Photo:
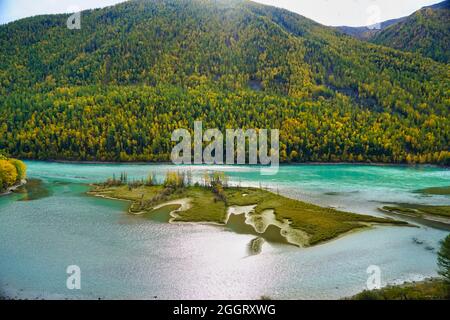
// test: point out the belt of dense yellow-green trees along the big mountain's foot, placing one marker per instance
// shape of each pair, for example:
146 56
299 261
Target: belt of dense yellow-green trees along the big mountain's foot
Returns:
135 123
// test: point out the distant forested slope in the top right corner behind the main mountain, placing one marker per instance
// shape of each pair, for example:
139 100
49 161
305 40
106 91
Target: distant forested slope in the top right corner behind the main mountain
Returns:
427 32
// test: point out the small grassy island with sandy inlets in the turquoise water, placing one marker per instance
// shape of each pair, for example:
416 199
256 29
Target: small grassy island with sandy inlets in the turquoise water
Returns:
266 215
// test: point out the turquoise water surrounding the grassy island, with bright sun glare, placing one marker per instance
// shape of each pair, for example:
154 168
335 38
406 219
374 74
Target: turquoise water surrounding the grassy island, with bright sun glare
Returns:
121 256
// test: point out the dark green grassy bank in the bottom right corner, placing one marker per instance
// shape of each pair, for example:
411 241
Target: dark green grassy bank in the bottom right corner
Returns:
434 289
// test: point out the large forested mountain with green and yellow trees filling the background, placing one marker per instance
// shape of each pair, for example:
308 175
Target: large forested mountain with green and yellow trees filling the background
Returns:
116 88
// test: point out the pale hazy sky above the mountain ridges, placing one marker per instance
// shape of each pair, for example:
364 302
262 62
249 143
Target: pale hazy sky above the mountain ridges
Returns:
328 12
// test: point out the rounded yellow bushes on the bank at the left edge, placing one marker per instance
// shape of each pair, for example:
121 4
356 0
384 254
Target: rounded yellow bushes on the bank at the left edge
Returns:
12 173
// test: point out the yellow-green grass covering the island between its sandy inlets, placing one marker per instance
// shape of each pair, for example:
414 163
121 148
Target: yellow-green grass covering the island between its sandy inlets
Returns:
320 224
